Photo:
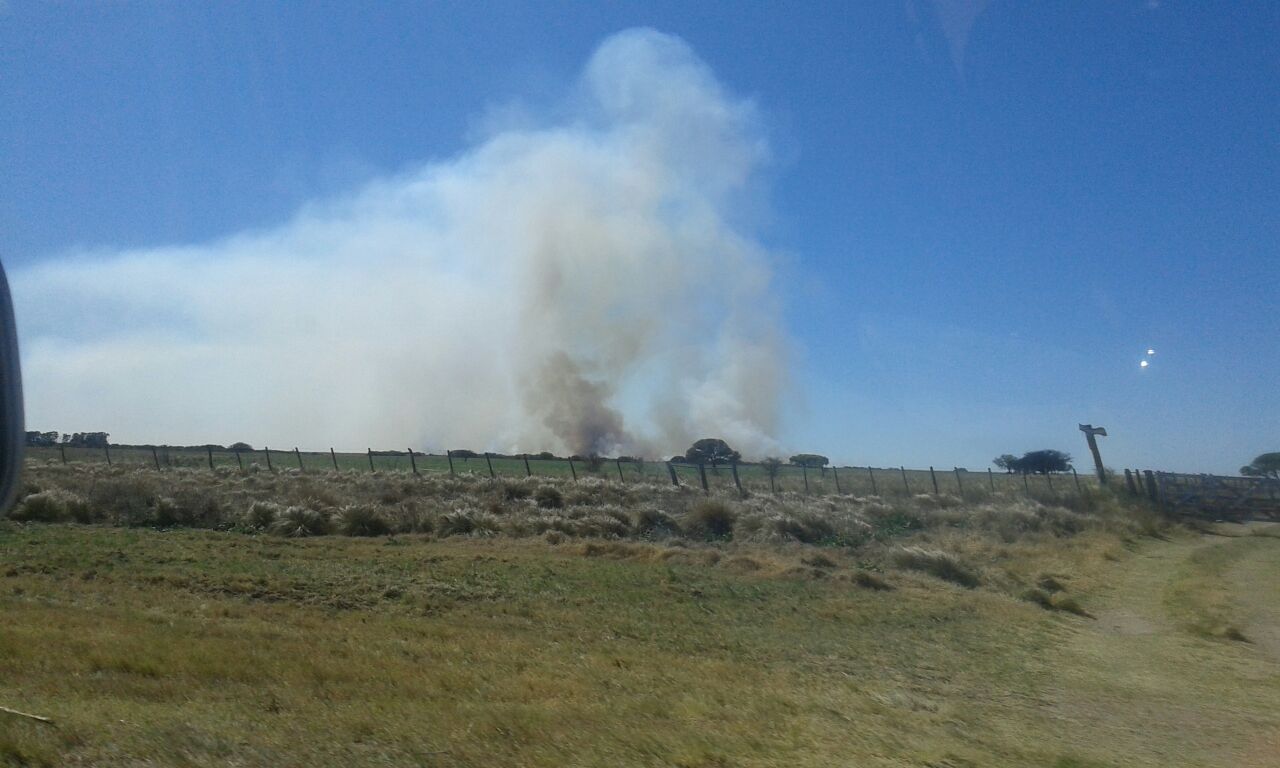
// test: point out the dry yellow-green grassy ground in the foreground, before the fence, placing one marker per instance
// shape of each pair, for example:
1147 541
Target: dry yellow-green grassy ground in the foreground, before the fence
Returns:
1096 637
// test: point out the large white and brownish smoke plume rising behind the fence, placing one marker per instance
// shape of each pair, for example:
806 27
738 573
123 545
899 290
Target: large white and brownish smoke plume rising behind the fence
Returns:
583 285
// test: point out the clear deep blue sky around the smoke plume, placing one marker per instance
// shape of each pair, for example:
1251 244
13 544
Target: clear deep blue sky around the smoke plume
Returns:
975 235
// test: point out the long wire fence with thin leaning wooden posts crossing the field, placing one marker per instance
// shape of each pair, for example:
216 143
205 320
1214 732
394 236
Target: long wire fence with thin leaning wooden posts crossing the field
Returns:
742 478
